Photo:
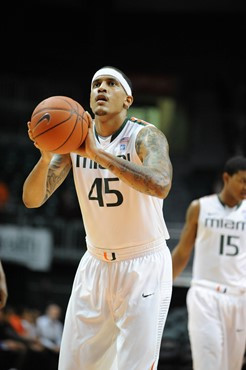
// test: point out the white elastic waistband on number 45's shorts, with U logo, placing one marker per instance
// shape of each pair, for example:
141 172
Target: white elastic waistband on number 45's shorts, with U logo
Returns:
110 255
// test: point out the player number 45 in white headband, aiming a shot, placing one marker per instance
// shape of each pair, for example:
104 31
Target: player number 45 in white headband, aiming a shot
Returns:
122 289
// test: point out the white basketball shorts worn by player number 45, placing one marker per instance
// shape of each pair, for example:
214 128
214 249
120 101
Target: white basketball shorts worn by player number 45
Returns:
117 309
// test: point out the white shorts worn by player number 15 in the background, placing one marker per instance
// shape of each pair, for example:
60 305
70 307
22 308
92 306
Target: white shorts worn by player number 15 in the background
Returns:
216 323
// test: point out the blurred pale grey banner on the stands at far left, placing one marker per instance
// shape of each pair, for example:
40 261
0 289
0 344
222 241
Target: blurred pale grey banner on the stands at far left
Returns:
31 247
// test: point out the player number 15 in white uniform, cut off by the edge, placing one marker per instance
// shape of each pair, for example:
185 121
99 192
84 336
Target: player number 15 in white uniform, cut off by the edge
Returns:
216 301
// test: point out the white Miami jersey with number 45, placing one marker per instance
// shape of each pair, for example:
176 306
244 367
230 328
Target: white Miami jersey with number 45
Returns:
114 214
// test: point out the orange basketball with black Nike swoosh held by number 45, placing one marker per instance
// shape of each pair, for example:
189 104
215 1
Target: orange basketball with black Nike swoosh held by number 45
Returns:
59 125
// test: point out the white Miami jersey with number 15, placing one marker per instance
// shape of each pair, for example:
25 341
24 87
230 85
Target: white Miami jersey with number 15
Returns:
220 248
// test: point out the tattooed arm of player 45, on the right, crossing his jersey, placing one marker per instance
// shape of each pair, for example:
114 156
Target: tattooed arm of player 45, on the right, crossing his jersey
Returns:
154 177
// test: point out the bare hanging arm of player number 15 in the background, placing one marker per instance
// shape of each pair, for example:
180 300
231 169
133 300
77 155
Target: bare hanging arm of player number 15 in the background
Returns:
182 252
